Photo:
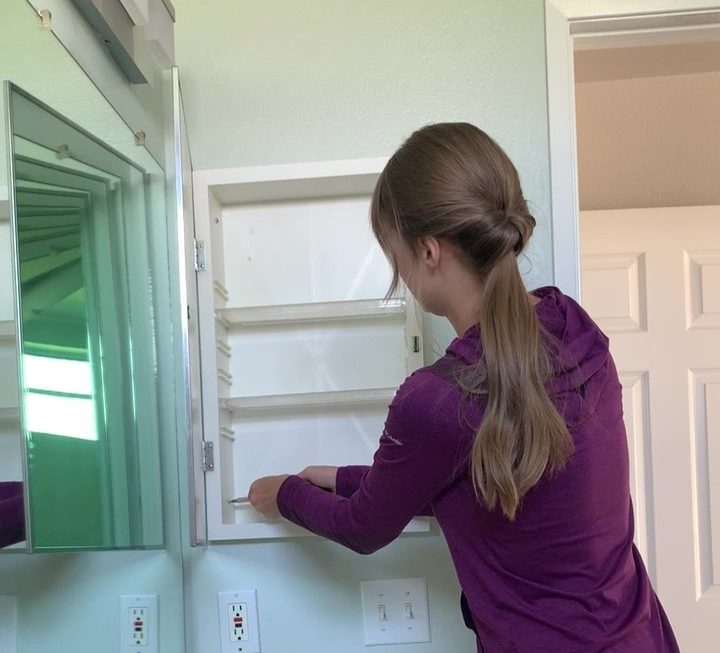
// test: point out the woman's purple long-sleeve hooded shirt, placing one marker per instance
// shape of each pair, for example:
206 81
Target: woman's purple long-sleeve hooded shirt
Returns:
564 576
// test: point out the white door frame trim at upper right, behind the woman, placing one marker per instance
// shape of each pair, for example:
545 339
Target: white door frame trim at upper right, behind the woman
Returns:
591 24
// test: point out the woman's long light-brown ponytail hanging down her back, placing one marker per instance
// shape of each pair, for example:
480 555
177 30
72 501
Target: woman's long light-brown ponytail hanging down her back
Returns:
522 435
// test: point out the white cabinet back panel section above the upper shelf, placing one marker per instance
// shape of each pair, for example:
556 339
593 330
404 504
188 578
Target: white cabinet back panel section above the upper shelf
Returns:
301 251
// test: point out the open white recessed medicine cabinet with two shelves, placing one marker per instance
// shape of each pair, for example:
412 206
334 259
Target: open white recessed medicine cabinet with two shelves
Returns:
301 355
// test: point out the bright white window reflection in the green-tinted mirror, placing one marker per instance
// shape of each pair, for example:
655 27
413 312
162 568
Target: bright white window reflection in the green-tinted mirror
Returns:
58 397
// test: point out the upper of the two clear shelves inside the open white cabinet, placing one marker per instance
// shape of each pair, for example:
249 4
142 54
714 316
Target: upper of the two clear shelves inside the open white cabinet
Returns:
314 312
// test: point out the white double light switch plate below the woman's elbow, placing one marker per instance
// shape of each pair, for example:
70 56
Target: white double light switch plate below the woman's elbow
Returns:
394 595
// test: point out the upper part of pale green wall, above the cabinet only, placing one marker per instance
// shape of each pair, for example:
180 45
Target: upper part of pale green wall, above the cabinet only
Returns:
282 81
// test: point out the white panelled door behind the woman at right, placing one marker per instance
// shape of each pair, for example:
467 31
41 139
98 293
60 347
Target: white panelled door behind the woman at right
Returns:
651 279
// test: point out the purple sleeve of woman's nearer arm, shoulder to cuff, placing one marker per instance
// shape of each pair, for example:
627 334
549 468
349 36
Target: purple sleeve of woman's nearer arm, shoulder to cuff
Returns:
416 460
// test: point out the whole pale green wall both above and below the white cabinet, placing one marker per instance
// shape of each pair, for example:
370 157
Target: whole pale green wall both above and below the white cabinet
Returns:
287 81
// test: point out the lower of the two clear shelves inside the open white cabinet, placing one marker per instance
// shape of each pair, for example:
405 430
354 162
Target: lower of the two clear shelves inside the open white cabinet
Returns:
330 399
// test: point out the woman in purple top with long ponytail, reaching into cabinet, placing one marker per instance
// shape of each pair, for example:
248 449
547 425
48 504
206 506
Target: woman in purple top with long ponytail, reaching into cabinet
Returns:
514 440
